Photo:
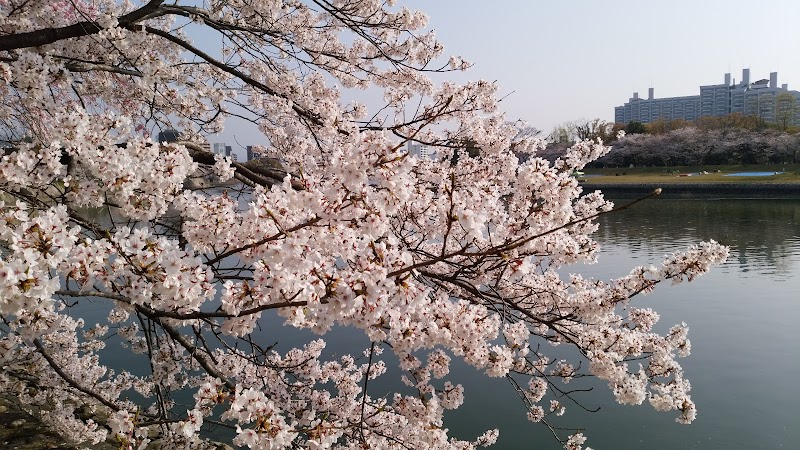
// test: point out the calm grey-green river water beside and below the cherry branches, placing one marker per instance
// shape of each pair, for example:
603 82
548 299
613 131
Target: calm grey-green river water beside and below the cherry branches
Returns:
744 324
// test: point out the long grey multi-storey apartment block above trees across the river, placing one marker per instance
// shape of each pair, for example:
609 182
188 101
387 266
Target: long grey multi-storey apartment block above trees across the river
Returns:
758 98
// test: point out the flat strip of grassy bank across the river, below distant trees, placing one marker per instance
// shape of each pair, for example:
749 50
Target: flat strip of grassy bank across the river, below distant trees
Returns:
694 175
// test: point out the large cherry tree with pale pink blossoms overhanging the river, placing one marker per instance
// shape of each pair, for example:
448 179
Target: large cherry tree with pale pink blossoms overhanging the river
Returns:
428 260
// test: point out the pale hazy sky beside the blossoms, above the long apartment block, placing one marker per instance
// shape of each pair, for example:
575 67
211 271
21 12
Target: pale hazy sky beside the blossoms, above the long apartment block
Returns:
568 60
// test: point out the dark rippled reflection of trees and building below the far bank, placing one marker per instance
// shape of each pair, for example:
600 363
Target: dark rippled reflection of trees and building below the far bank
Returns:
762 234
